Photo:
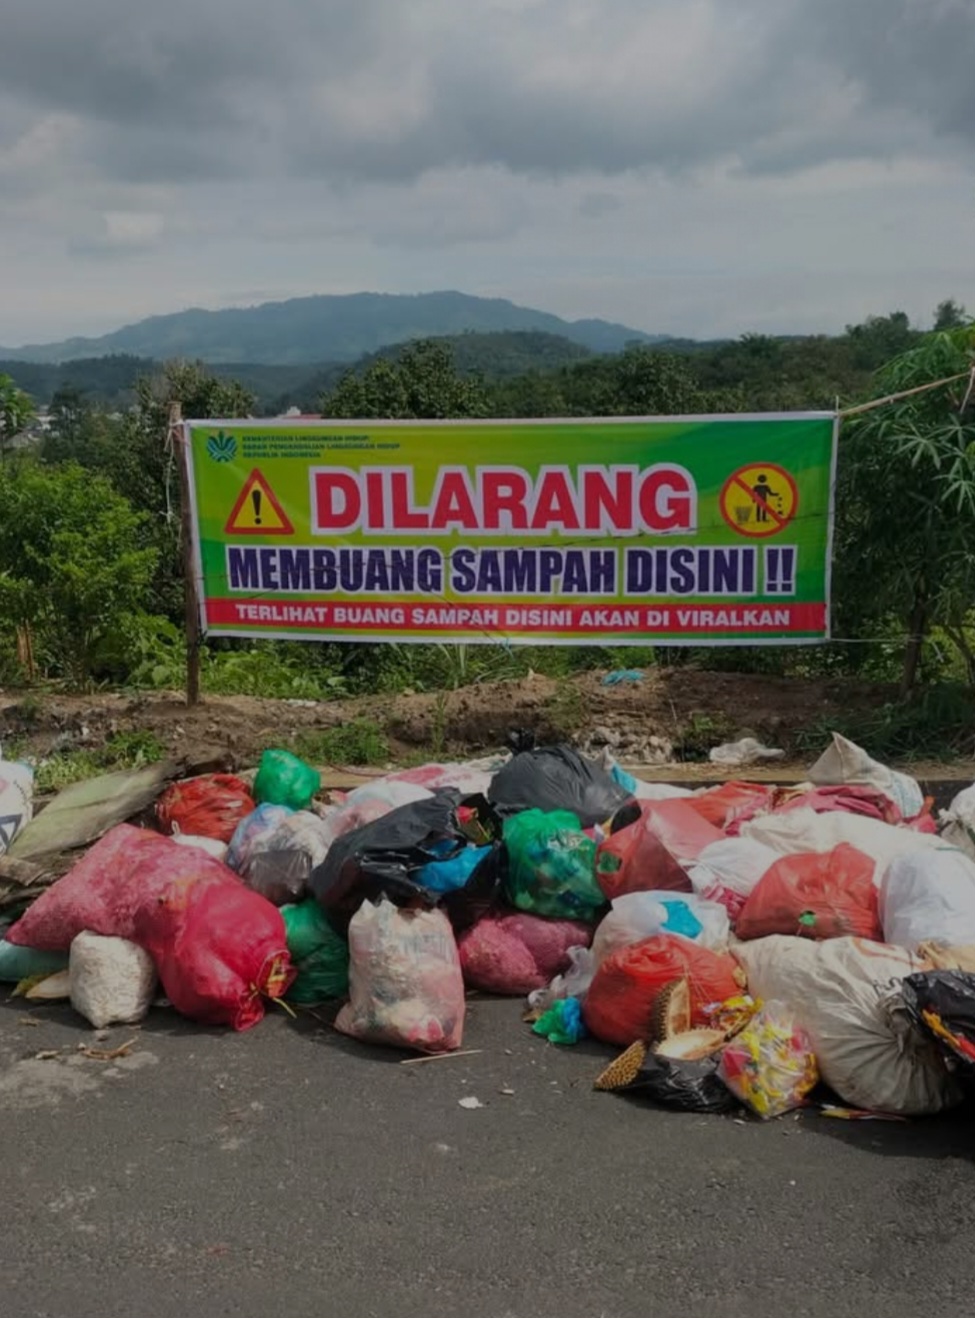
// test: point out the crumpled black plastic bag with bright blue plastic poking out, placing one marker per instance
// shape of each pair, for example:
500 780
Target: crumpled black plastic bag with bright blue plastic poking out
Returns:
383 859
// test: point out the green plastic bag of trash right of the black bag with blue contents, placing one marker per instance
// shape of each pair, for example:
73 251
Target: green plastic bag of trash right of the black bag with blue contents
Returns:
551 867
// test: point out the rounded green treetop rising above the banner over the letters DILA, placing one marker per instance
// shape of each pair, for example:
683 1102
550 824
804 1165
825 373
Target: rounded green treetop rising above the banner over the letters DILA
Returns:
422 383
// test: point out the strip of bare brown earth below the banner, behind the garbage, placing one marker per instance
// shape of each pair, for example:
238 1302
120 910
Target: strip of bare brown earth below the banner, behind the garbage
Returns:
670 714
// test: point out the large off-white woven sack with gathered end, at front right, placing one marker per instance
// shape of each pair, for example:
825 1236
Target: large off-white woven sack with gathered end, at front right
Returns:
845 993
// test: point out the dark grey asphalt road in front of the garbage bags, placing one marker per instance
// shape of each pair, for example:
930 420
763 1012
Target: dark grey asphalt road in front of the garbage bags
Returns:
291 1172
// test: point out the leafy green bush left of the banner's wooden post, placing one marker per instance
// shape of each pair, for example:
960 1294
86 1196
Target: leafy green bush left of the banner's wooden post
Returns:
73 570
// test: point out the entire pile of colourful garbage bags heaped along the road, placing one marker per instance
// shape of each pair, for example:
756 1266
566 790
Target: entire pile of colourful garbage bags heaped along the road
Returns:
745 946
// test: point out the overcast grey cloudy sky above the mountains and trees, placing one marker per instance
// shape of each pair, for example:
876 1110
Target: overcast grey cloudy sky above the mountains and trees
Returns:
687 167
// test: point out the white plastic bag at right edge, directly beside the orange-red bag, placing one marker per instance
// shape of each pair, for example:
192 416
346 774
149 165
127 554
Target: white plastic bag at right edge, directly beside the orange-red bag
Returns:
930 898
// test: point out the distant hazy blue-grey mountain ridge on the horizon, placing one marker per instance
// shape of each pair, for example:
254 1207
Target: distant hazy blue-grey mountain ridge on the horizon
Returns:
339 329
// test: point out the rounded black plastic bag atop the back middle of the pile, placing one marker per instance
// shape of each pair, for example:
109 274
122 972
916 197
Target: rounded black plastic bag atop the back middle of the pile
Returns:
558 778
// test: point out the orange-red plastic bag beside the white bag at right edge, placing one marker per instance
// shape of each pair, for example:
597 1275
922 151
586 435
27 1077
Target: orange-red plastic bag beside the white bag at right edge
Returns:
818 896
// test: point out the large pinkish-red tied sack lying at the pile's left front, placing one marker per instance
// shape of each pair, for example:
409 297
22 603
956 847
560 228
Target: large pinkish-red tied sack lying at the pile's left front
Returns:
218 946
